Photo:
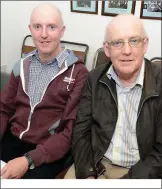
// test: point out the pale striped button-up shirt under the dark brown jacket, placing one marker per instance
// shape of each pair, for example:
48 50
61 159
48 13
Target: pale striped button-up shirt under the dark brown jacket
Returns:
123 148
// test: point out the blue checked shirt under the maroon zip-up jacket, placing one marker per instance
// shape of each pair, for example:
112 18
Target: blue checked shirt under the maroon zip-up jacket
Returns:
41 74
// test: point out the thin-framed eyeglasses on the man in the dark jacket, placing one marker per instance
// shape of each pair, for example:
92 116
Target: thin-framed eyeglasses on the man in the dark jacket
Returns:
133 42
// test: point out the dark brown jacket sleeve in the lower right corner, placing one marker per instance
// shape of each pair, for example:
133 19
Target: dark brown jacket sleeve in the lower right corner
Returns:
151 167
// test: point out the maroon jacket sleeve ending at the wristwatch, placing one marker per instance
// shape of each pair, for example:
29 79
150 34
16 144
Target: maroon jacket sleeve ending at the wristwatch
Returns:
57 145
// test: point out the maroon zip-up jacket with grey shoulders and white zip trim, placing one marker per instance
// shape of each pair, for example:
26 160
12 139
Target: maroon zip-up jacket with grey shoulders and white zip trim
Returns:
50 123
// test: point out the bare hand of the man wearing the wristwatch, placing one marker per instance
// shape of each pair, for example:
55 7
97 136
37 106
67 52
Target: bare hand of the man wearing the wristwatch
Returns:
15 168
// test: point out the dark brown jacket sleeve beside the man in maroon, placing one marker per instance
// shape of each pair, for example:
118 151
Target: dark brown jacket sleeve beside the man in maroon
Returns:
81 142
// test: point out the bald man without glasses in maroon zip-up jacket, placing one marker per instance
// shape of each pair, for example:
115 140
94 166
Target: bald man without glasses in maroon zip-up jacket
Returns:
38 106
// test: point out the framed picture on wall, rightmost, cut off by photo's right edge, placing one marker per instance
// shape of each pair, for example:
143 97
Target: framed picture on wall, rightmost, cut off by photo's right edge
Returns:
151 10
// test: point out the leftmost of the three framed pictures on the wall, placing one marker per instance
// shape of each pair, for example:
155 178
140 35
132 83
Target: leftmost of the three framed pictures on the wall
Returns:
84 6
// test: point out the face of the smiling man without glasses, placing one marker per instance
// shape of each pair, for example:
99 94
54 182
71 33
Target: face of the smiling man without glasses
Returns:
46 32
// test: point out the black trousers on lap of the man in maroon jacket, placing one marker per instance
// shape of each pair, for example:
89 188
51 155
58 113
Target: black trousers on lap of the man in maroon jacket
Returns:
12 147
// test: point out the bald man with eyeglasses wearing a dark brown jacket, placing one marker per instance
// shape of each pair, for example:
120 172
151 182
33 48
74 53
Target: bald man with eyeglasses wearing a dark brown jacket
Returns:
118 132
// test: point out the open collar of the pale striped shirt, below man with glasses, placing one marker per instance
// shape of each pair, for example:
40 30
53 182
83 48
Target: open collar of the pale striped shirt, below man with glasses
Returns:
139 81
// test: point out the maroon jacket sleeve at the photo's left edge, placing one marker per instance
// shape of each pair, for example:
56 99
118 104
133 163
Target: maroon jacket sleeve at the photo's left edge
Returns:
8 106
